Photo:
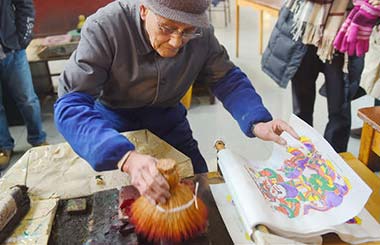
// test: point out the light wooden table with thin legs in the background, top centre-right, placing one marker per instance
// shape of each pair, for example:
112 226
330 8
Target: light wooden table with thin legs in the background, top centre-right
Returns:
271 7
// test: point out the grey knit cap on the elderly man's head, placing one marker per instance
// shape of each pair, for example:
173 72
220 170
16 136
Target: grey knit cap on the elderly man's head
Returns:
192 12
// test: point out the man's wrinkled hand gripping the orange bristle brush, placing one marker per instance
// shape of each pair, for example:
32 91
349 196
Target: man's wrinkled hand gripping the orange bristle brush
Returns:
146 177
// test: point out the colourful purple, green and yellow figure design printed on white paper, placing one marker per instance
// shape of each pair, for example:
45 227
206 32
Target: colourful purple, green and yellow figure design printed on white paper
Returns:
305 182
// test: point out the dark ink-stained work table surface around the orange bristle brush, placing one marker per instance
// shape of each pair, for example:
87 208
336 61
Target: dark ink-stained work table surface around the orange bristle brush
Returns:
74 229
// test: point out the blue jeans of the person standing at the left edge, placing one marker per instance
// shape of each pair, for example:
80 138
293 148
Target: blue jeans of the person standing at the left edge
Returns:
16 81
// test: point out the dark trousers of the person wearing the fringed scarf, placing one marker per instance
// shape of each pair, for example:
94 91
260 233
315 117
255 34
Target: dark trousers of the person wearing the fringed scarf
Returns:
339 107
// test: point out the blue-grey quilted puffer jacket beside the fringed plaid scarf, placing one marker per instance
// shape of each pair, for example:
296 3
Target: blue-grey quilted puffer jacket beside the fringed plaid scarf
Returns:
283 55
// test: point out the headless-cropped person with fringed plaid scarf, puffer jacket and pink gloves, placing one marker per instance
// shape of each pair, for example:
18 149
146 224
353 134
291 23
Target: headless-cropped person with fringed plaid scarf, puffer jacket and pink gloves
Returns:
302 45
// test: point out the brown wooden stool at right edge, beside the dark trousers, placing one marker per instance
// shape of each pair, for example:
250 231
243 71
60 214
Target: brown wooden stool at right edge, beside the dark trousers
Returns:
370 140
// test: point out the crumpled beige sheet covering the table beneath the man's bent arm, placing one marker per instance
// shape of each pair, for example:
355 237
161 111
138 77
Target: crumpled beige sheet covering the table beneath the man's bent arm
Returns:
57 171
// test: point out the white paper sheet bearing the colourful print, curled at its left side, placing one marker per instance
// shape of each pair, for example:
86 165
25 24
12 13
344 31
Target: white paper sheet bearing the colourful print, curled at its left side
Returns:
343 198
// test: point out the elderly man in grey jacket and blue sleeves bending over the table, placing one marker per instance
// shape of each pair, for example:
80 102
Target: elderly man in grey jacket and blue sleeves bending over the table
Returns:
133 64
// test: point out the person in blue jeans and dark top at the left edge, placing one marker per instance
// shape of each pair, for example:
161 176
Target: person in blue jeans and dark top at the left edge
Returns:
16 26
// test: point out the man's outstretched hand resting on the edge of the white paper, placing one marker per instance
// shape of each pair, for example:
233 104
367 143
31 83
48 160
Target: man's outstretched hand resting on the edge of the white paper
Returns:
270 131
